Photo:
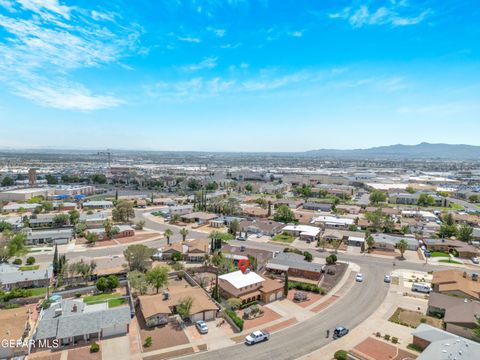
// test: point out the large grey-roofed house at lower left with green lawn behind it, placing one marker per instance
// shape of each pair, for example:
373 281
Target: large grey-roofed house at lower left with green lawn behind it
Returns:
73 321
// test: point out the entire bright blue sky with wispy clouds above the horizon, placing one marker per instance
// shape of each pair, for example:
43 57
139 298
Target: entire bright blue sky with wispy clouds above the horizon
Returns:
238 75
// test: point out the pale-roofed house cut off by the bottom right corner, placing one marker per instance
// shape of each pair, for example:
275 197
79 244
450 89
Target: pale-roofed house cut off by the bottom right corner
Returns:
438 344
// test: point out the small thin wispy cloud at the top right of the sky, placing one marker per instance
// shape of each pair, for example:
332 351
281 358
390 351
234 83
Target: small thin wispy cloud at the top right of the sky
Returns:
393 14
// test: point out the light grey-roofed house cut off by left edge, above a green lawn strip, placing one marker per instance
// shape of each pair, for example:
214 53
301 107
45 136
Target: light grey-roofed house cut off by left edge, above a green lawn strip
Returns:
11 276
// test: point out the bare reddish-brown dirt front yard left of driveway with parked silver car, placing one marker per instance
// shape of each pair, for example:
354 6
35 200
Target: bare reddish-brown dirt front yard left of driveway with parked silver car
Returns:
162 336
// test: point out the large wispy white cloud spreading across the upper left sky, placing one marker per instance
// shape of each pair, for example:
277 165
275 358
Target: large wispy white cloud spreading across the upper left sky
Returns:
51 40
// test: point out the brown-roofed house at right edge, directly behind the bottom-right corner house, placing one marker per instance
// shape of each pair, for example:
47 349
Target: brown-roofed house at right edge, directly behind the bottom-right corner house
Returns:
459 315
